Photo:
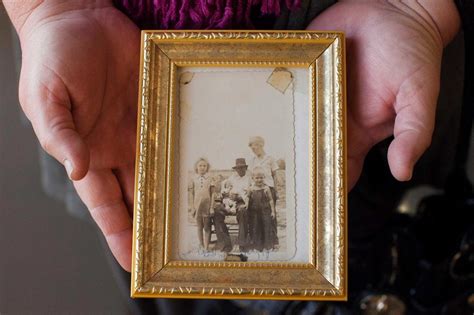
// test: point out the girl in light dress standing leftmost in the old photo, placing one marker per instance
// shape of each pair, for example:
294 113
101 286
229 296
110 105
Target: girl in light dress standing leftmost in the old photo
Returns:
201 189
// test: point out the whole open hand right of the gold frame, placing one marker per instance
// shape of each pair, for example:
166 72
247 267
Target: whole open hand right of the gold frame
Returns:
394 52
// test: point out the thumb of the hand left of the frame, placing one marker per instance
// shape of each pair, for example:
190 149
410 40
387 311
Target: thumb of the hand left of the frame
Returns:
46 103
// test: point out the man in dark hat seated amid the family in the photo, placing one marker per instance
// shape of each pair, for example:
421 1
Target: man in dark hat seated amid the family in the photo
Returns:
236 188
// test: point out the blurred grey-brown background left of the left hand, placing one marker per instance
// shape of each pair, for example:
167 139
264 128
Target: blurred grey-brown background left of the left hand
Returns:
50 262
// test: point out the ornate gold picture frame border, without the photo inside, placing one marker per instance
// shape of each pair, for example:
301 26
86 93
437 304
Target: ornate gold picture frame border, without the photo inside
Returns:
155 271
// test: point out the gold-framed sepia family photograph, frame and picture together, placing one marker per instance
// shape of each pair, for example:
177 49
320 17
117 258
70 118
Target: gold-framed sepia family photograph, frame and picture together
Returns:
240 184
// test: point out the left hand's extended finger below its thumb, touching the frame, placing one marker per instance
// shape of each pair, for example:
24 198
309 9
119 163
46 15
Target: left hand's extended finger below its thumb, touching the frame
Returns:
101 192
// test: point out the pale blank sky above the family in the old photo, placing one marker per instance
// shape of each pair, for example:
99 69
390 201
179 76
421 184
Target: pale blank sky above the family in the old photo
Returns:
221 109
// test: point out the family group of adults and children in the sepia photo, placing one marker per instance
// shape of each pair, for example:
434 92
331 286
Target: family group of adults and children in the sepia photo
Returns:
249 194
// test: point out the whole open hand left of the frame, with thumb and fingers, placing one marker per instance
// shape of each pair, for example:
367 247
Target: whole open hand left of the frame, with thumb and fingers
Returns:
78 87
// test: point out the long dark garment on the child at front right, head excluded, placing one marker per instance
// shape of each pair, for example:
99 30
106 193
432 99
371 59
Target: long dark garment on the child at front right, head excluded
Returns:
262 227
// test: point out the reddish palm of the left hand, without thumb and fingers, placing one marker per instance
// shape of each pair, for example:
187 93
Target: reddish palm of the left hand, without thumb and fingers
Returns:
93 67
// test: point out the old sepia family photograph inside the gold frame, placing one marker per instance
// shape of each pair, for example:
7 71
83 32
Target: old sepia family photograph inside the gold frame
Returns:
236 167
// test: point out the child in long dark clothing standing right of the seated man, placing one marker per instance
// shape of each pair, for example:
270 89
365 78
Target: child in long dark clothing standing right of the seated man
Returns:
261 213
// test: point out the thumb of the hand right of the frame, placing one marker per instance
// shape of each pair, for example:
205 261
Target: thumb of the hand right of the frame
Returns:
415 109
